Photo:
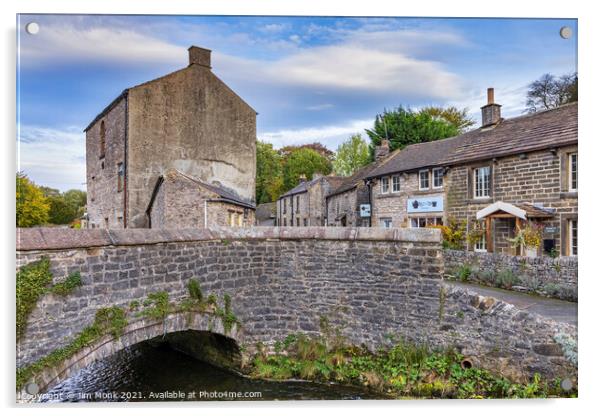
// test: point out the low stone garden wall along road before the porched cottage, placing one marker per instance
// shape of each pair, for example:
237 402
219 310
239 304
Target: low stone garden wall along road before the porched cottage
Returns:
556 277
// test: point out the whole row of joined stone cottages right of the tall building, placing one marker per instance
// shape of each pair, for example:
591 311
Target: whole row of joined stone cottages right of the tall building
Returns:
507 175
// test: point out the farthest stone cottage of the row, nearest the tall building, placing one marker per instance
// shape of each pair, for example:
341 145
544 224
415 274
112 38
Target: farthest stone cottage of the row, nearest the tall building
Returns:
305 204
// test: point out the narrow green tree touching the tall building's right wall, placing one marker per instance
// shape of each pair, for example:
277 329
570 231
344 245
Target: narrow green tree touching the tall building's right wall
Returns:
268 181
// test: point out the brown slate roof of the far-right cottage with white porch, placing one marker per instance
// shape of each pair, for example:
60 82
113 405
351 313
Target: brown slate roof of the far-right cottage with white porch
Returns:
542 130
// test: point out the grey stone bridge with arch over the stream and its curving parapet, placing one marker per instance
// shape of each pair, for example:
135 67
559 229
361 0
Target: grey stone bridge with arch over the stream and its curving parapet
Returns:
372 283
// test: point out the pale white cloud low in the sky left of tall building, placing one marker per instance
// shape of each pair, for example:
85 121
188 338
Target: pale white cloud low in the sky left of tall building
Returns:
53 157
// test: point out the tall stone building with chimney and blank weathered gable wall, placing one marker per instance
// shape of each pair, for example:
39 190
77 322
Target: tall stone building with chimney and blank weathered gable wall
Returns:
188 121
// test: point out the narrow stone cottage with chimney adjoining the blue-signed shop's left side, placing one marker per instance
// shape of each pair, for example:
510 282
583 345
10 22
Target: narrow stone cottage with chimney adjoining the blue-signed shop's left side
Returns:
349 204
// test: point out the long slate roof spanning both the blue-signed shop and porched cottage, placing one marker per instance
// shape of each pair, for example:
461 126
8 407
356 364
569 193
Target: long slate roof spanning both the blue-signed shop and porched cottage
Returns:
542 130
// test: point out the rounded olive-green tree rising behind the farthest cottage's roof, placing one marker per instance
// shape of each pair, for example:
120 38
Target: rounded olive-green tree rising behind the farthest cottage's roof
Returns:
303 162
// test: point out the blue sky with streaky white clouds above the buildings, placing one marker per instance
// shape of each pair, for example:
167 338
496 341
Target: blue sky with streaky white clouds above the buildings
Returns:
309 78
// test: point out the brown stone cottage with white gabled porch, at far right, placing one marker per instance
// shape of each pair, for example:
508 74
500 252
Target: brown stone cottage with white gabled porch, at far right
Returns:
515 172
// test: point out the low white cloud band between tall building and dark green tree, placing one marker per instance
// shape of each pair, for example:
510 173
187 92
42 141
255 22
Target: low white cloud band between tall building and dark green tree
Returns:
330 136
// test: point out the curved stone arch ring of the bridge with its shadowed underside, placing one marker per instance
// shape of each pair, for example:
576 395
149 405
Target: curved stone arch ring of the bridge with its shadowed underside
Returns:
193 334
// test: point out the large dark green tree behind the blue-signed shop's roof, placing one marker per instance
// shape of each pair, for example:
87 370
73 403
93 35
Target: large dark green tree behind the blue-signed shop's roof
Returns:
403 126
